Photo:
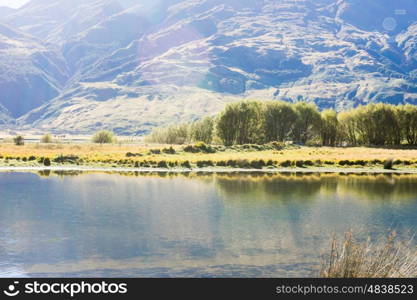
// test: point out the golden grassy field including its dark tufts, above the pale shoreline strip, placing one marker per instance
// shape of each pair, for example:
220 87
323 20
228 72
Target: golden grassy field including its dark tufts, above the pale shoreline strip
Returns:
161 156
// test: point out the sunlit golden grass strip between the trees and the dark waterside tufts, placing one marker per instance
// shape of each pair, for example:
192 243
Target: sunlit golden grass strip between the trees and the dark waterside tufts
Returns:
116 154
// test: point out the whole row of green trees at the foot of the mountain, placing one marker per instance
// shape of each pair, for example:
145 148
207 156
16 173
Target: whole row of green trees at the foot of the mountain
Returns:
256 122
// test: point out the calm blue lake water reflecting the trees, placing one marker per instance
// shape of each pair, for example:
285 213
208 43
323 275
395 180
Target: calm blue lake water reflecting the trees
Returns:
160 225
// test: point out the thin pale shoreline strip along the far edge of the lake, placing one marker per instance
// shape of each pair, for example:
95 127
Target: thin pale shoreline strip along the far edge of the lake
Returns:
212 170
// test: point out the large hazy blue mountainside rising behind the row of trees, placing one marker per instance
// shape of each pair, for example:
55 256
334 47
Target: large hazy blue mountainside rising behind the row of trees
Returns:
130 66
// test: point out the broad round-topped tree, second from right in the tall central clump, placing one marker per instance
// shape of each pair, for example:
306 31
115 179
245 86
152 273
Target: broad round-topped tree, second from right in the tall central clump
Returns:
279 121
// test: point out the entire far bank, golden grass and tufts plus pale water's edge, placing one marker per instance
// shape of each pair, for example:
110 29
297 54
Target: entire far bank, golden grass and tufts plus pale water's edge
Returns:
246 158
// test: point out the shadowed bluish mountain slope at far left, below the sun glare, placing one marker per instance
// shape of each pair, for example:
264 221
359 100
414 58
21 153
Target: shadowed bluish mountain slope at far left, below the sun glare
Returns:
30 73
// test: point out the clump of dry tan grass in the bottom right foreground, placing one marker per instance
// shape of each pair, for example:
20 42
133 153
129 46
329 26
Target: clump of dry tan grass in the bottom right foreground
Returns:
386 258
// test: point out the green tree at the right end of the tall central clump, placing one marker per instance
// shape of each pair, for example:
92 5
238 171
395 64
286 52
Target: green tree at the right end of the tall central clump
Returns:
308 122
